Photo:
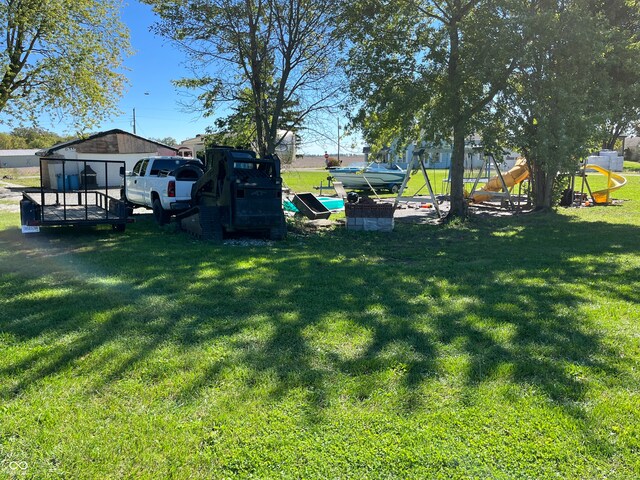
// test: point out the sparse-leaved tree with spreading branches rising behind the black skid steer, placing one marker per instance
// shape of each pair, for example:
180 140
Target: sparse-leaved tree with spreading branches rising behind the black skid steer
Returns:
267 62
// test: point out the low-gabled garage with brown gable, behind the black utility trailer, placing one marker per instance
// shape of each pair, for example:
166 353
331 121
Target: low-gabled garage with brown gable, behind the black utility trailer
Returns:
115 145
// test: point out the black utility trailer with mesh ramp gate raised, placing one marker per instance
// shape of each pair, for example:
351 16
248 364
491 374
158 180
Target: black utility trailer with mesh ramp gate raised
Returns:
75 192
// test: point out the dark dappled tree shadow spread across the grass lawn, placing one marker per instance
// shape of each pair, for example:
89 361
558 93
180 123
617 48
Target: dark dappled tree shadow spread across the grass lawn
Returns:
305 315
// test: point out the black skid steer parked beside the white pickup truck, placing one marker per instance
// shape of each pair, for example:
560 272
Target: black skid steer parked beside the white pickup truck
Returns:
239 192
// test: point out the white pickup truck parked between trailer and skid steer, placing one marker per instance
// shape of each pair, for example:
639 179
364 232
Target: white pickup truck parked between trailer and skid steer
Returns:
162 184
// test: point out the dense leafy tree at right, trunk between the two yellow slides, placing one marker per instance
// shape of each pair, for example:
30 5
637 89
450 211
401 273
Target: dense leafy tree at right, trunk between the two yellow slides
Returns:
575 87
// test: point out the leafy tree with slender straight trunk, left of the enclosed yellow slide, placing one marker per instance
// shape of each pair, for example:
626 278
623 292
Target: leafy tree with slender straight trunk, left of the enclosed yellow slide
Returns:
431 69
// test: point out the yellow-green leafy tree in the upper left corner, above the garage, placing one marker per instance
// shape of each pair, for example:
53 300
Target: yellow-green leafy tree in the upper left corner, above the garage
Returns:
62 58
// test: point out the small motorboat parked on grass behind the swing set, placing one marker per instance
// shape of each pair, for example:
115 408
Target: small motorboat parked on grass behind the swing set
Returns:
387 176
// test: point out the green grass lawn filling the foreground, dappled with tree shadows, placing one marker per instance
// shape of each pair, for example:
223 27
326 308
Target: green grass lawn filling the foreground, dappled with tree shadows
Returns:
501 348
